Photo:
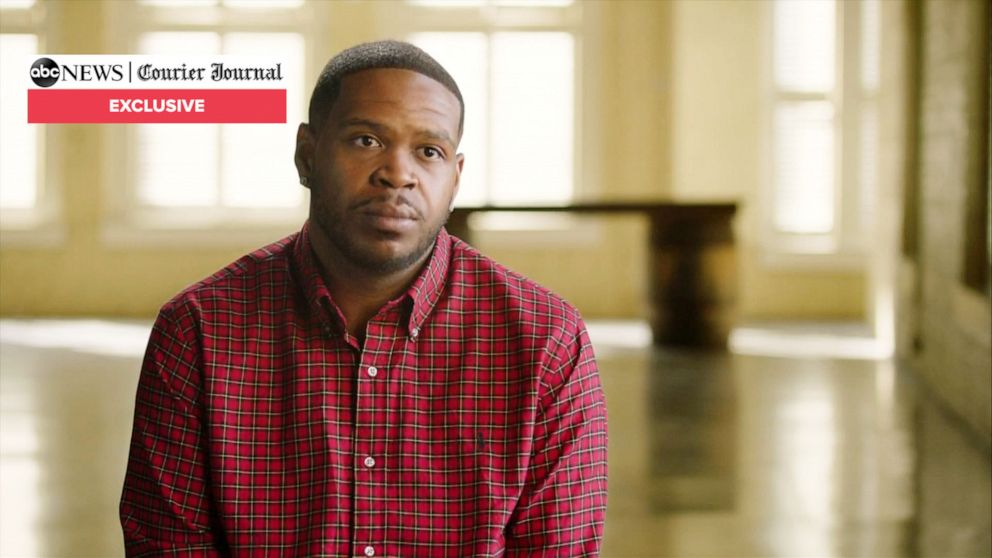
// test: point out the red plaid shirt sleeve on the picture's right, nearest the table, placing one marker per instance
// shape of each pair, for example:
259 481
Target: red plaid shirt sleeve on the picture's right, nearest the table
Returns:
563 505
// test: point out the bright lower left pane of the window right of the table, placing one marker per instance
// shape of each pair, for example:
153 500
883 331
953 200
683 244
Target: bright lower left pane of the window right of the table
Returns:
804 167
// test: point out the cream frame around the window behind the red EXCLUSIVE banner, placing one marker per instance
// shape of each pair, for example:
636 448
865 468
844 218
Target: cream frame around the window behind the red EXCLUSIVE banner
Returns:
128 221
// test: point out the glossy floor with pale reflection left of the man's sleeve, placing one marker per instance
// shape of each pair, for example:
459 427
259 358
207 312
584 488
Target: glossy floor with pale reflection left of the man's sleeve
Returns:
64 430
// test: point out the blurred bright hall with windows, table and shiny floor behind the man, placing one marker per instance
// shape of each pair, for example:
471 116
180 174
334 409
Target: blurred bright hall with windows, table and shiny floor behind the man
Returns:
773 215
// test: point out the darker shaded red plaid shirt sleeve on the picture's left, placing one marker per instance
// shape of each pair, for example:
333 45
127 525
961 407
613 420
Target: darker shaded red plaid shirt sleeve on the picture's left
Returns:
165 508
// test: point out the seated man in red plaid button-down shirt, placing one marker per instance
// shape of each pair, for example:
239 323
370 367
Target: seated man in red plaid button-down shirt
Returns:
369 386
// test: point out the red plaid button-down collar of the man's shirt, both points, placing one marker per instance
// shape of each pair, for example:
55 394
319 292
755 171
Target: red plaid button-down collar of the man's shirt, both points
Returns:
424 292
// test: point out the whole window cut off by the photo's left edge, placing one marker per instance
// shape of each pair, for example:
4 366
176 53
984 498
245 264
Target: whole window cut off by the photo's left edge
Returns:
23 196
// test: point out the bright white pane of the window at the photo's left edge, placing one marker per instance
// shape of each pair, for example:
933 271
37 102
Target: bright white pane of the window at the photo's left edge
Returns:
18 139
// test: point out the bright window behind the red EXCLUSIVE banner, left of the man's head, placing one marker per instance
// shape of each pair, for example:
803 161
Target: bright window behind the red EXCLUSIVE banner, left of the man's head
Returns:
203 175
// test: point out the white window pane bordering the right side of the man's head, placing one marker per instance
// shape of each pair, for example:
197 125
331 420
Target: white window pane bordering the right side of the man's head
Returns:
464 56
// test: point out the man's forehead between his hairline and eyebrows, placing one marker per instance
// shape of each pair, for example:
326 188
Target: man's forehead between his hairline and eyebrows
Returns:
390 93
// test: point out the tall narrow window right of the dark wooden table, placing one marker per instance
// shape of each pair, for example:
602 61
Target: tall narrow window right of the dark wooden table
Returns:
824 125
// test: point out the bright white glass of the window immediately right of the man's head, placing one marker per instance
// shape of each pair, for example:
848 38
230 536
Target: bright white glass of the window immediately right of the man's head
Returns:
519 96
